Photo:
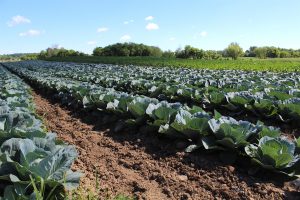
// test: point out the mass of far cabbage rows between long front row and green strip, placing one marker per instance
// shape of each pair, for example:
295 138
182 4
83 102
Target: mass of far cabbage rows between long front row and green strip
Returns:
265 94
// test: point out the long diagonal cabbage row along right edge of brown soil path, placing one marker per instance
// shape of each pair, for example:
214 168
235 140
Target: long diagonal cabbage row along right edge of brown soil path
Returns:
266 146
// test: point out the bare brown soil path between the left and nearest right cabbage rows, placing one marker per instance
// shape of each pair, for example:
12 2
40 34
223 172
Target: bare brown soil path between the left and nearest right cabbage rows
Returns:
141 165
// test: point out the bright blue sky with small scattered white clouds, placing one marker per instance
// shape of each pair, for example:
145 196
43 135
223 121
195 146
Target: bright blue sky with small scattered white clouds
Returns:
33 25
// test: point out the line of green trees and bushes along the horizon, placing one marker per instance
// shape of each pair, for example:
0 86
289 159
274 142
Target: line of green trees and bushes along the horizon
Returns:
233 51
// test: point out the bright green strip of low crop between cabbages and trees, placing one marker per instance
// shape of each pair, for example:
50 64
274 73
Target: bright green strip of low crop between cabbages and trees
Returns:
278 64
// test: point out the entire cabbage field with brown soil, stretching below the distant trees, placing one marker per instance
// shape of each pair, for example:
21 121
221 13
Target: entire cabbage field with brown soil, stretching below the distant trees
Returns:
172 132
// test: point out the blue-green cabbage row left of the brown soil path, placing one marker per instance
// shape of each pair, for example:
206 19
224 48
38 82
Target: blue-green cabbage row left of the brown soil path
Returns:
33 163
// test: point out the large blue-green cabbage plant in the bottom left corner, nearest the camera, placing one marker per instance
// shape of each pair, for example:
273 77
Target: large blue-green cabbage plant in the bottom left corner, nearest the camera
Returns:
39 159
